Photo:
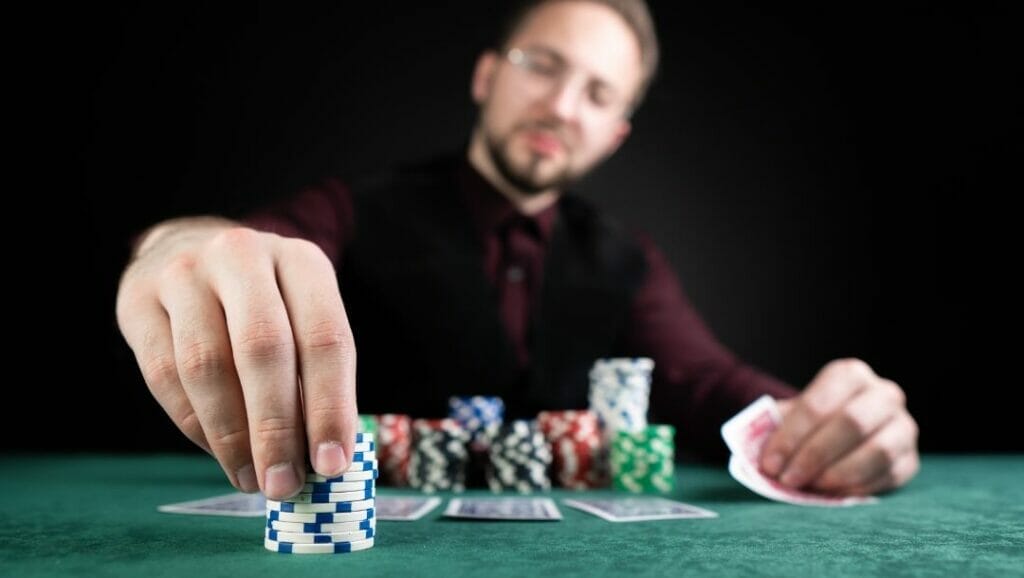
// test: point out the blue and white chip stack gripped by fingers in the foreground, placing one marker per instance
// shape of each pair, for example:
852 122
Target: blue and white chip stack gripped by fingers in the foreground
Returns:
331 515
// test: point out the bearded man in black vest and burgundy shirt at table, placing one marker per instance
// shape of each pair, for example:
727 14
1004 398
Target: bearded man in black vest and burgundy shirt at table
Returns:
478 276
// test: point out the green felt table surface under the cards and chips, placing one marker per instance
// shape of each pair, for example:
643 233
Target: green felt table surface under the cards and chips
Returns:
97 516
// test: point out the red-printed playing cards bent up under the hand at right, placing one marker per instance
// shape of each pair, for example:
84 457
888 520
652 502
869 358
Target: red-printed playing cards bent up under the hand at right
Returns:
746 435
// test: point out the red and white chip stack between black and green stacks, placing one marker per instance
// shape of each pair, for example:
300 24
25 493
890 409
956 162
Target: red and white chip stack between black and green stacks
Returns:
576 444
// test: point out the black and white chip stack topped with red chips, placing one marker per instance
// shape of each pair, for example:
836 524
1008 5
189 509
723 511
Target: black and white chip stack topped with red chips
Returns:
440 456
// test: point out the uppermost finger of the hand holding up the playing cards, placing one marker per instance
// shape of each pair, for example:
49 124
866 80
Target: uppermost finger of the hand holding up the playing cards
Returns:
830 390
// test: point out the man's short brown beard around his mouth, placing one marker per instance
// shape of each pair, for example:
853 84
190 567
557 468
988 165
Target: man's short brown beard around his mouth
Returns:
528 178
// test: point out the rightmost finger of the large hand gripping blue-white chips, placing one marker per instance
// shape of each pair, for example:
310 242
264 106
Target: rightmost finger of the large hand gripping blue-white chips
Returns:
326 354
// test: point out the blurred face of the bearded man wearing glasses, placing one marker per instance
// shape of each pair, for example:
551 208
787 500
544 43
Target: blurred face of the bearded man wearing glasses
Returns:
556 104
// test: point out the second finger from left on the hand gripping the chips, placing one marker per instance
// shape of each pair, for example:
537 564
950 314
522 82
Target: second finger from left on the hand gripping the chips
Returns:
203 356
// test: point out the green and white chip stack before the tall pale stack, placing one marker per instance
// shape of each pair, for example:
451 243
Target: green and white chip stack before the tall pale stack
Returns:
645 462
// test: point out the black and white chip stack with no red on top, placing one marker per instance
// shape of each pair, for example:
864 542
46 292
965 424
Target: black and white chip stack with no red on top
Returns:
520 459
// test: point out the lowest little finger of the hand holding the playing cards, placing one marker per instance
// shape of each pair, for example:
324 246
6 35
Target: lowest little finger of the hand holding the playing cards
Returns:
886 461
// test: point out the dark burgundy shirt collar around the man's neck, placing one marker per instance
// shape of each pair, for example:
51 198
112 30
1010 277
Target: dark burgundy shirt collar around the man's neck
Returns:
490 210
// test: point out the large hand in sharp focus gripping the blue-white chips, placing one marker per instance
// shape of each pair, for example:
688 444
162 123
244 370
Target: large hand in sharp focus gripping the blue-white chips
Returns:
229 325
